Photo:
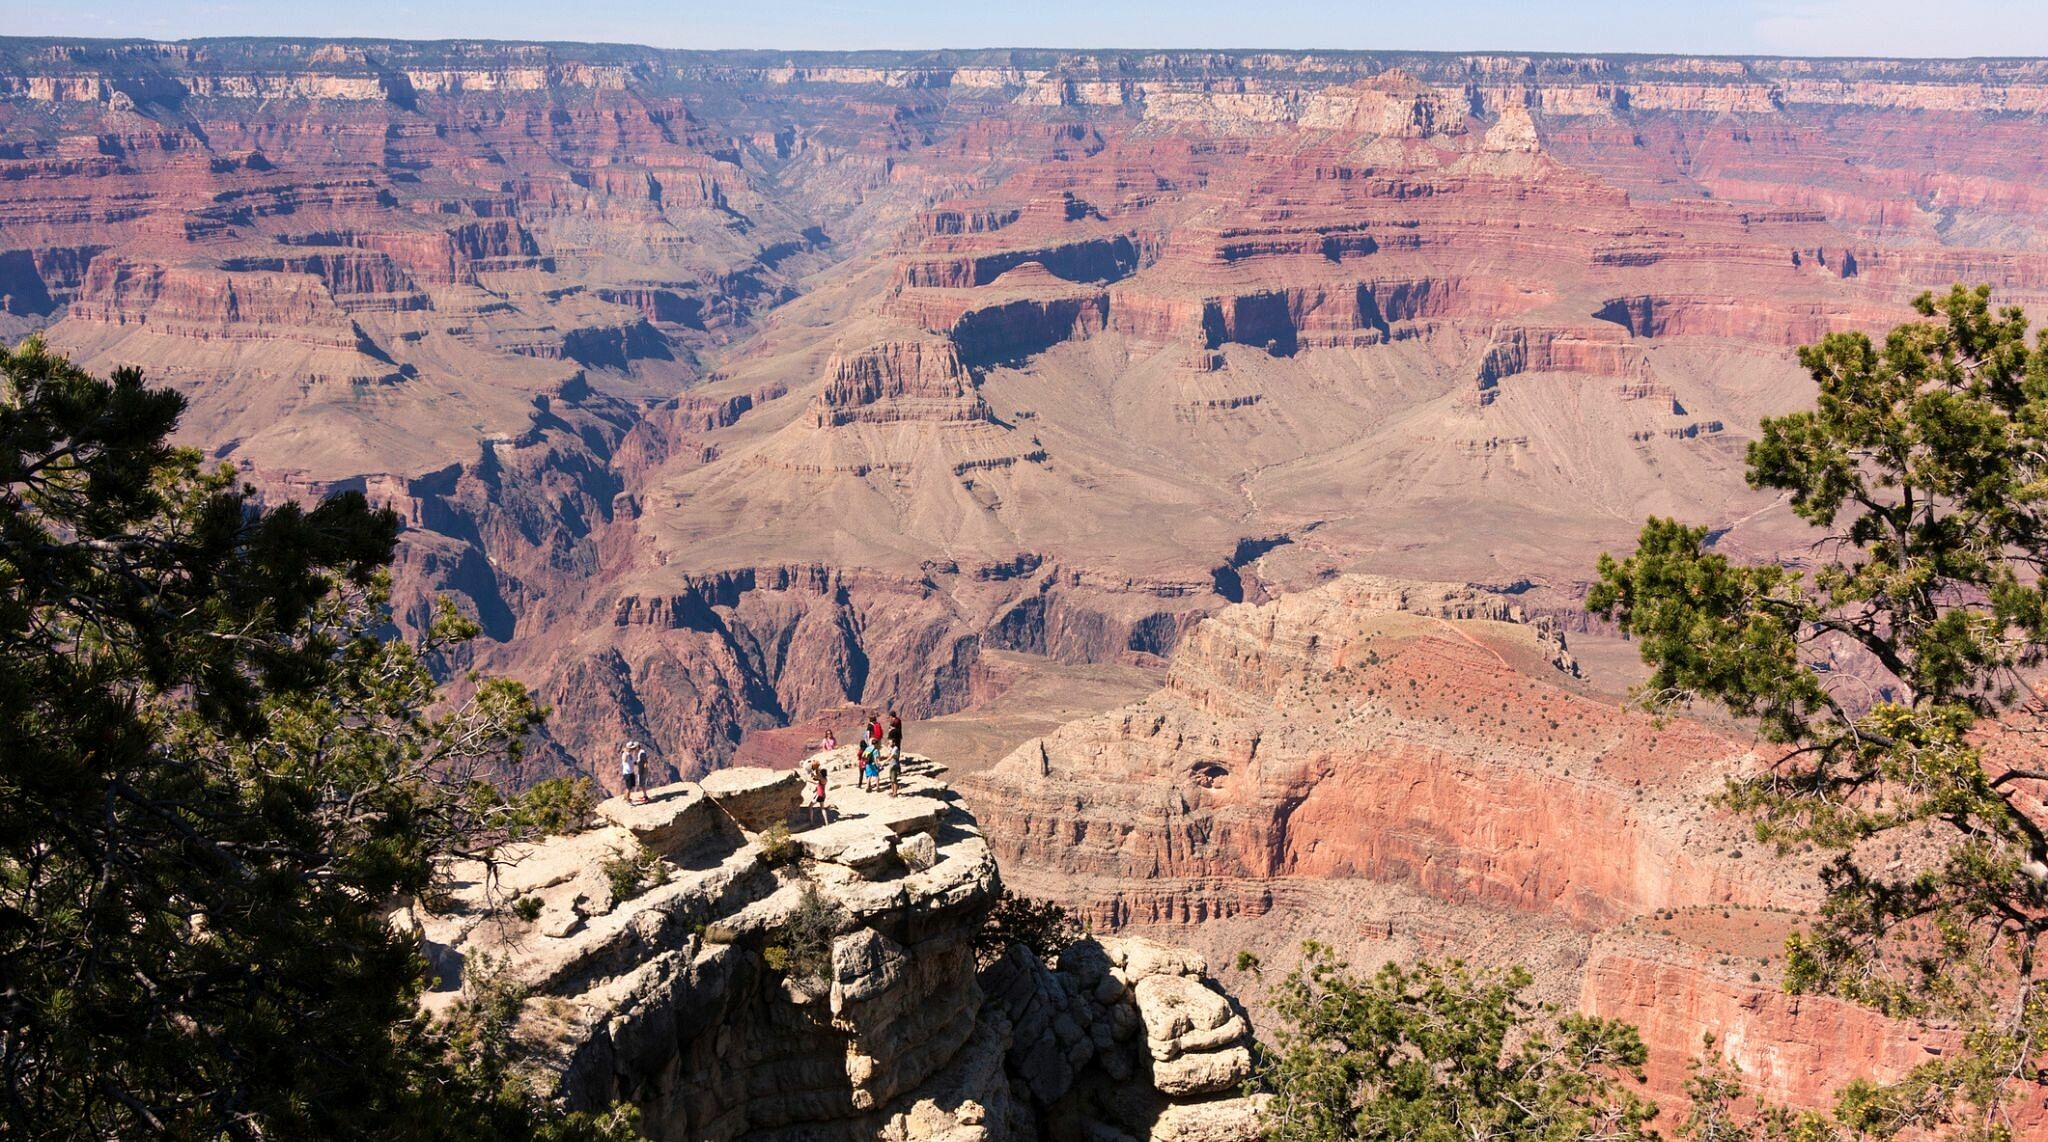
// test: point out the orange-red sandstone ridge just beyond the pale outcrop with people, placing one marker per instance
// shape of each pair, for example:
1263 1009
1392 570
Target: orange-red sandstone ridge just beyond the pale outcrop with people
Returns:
1406 771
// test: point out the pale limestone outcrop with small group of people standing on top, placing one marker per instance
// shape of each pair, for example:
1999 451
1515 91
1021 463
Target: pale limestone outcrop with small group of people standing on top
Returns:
742 985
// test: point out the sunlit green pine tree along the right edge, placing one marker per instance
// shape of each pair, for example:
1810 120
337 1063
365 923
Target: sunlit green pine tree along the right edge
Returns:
1883 664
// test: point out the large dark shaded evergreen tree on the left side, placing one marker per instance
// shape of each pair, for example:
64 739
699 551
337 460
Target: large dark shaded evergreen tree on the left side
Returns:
218 777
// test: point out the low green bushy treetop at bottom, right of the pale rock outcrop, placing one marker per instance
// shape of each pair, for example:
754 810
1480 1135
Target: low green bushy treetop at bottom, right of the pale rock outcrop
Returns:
1441 1053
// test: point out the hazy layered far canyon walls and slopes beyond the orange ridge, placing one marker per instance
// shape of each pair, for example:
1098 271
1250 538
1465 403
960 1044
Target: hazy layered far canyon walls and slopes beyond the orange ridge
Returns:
732 388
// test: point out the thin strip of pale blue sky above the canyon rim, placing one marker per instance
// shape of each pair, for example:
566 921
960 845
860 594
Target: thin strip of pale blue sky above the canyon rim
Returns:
1719 28
